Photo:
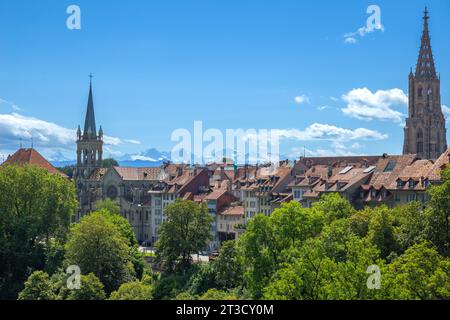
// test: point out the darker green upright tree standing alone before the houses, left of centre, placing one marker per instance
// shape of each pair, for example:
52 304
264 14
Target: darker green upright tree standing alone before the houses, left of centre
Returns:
185 232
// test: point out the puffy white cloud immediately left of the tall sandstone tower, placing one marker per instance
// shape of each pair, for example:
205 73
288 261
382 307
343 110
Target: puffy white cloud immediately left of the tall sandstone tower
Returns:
363 104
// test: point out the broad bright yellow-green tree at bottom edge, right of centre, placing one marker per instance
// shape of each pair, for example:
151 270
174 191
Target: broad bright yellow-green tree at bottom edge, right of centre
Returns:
325 269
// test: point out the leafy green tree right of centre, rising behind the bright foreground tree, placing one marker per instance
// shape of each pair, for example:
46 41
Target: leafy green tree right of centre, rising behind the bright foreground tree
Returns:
263 247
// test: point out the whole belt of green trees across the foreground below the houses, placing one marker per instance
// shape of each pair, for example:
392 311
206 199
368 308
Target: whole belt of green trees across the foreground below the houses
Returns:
322 252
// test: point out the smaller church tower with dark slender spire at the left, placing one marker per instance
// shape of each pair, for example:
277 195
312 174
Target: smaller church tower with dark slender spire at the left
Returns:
89 144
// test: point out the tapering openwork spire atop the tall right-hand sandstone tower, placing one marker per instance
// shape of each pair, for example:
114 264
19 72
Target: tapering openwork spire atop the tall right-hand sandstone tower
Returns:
425 64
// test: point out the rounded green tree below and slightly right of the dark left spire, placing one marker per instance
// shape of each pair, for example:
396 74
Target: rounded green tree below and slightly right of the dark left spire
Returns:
96 245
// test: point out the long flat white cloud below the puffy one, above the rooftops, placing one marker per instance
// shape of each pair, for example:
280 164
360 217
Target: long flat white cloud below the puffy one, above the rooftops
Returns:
318 131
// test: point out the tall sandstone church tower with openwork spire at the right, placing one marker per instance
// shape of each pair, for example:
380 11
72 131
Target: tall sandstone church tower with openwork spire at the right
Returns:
425 132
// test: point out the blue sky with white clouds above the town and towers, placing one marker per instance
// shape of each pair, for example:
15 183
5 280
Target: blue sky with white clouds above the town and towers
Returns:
160 65
